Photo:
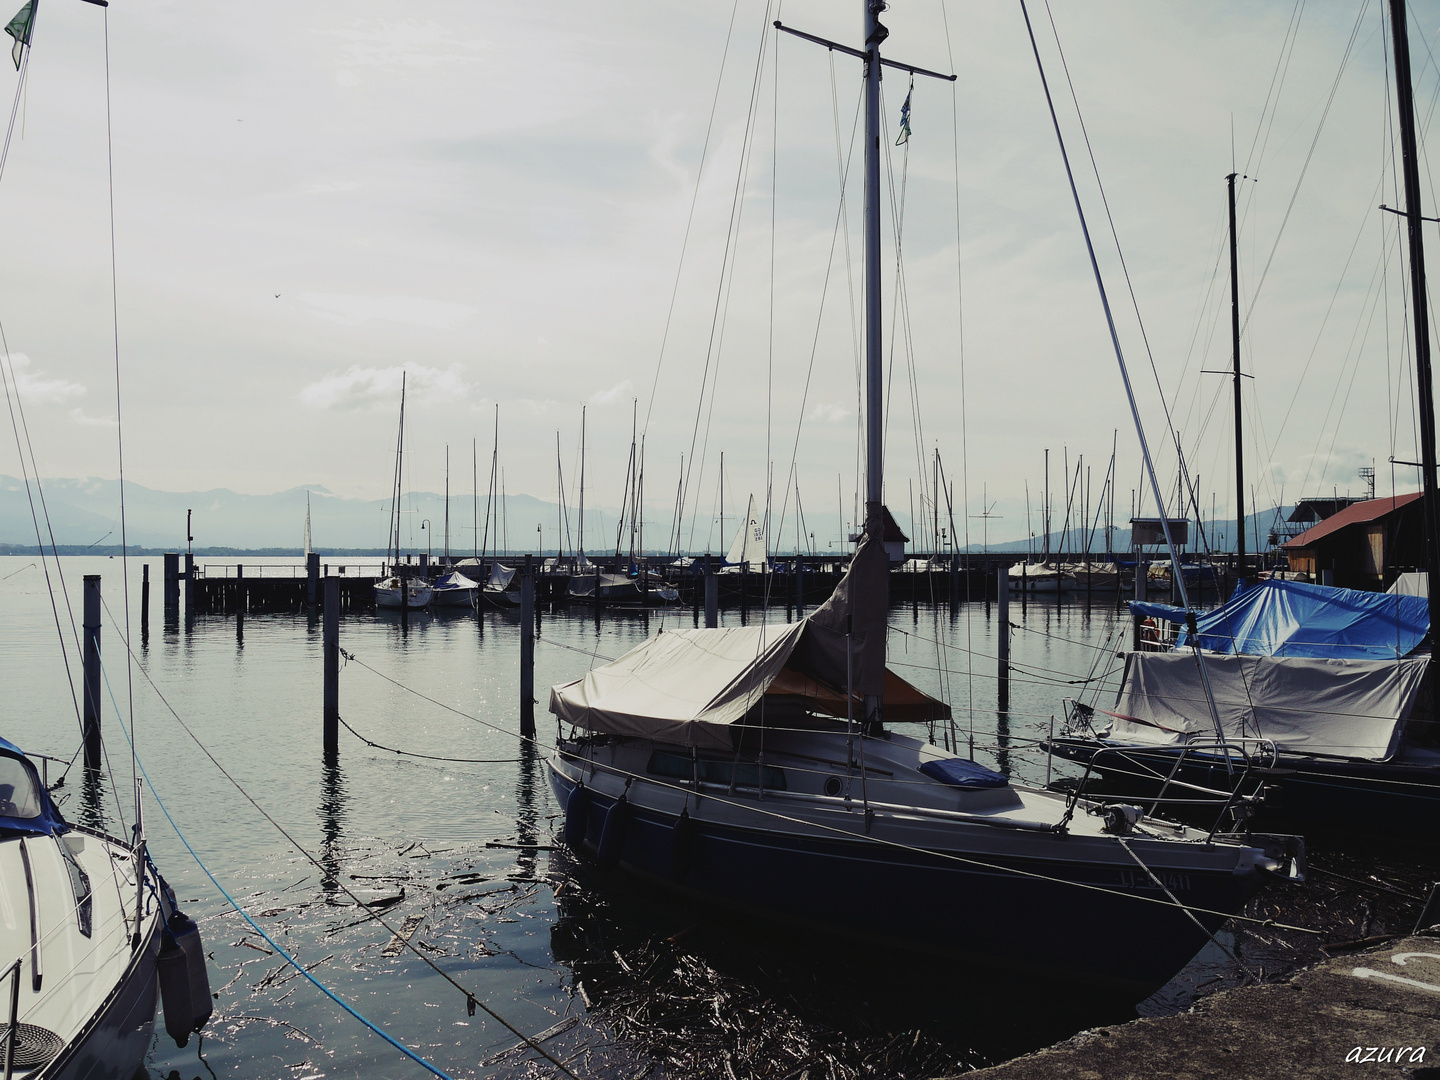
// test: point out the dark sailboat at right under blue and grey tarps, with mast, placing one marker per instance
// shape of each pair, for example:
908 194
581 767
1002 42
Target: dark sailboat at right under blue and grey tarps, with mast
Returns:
1327 692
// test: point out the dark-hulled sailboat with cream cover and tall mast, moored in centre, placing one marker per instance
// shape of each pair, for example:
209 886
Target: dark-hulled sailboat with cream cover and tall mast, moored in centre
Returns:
754 768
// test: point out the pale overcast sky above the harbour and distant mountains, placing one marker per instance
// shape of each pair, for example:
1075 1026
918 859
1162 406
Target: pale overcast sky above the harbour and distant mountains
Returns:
639 210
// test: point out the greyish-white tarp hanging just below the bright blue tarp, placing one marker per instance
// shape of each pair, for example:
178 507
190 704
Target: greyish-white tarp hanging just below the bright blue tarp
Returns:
1305 705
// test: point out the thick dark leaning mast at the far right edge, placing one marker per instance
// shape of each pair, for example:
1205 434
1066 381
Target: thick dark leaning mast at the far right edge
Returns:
1405 102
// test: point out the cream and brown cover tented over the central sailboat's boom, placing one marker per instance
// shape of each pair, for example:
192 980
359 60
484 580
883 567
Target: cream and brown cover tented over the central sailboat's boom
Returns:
689 686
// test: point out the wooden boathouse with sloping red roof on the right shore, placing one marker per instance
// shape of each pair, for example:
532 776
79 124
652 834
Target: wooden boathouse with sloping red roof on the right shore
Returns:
1364 546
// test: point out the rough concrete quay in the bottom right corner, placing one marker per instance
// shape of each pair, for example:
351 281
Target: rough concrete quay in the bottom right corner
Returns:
1363 1014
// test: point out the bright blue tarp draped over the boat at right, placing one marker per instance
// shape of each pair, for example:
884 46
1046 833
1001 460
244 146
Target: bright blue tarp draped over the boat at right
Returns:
1295 620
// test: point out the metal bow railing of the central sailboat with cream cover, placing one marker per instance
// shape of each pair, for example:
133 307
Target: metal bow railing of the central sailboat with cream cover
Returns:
1236 760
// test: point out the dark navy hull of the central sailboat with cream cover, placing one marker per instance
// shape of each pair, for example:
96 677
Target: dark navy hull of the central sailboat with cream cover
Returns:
1014 906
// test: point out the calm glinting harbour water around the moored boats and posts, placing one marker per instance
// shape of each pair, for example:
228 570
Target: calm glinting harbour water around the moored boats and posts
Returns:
466 847
